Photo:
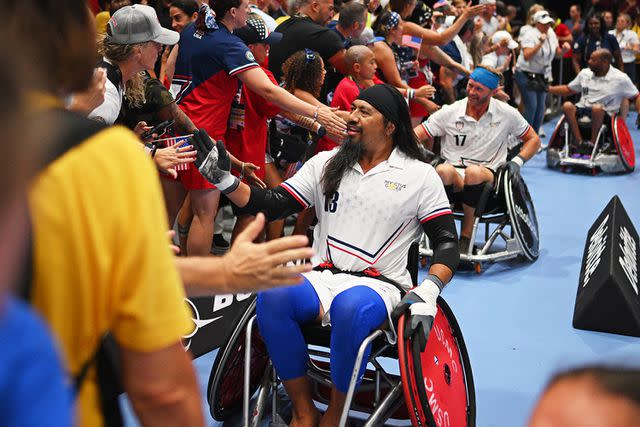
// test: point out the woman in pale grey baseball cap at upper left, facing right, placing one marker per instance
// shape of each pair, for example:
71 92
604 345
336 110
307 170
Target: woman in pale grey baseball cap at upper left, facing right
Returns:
132 44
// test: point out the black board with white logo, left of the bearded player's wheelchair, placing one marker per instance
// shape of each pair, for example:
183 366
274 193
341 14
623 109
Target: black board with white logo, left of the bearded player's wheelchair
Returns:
213 318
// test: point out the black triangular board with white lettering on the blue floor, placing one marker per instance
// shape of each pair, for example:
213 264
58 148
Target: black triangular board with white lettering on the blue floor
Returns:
607 298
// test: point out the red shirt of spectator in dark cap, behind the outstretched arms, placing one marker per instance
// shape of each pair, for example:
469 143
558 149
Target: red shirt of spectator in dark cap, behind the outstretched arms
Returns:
249 142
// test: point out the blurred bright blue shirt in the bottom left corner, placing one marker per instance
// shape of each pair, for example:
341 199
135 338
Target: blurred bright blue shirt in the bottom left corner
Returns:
33 389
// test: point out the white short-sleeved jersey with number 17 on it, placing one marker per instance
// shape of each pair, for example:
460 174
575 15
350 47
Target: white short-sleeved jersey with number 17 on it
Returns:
466 141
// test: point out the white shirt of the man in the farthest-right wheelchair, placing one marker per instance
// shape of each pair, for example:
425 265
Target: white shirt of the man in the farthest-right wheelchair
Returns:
608 90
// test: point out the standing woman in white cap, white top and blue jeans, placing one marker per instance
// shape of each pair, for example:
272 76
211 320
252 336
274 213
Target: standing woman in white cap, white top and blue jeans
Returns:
539 48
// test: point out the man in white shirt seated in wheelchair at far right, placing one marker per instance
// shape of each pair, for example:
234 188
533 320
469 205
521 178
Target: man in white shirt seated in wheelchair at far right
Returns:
603 88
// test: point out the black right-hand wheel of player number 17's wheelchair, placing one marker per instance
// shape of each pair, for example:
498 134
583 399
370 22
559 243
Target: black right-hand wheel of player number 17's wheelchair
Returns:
522 214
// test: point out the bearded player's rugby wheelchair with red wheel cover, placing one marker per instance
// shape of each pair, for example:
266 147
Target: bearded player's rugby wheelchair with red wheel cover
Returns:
432 388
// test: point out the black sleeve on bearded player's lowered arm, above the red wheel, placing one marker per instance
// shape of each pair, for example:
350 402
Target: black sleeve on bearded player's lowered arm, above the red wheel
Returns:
444 239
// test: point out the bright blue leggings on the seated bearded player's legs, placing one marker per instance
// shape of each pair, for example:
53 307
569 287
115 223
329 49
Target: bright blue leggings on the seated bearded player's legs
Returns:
355 313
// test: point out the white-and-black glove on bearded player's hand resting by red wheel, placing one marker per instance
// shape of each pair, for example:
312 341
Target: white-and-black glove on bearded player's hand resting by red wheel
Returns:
421 302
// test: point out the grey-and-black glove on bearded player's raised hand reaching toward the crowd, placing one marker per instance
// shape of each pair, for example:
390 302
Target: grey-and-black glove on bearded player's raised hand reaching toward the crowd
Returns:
214 162
